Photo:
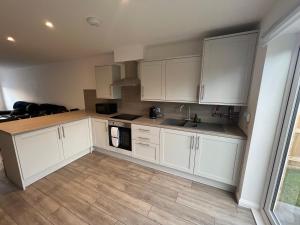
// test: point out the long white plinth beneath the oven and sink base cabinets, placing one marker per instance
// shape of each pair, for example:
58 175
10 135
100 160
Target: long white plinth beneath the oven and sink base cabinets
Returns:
202 180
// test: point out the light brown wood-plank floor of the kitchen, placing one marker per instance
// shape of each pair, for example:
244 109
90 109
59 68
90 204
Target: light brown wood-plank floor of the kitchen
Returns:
99 189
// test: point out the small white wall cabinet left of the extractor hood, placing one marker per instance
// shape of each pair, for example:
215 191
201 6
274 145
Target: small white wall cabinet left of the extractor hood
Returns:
105 76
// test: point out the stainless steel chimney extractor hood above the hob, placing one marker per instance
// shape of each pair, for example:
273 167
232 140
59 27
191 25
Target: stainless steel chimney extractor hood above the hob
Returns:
131 77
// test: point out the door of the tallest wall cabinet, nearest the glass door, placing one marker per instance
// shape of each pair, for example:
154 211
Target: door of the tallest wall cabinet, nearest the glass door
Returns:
227 69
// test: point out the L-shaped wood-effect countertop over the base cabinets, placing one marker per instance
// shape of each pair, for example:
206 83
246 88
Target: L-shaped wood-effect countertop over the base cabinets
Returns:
26 125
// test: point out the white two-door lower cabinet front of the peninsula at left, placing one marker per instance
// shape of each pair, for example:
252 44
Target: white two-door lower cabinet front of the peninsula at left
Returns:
40 152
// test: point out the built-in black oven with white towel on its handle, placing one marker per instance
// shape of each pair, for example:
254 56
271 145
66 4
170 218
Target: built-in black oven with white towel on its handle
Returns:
120 135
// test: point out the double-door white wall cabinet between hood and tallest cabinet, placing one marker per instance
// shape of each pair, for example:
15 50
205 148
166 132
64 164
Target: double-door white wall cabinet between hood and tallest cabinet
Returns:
172 80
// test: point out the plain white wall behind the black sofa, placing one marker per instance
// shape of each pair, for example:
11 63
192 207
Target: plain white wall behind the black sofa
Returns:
58 83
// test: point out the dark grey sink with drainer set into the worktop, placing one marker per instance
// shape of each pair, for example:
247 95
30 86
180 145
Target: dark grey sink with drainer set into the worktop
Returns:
189 124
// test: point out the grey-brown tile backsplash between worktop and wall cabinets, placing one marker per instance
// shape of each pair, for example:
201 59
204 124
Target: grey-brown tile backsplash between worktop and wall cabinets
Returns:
131 103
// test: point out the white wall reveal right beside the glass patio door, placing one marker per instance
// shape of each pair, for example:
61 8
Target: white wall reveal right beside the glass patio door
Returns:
261 137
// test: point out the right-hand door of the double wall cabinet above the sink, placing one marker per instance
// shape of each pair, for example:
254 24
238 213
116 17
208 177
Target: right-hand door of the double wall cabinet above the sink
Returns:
182 79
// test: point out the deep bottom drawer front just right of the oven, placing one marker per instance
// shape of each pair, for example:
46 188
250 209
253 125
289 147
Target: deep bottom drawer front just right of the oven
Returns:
145 151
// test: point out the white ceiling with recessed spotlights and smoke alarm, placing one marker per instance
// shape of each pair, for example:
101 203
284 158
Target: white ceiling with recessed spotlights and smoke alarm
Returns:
146 22
